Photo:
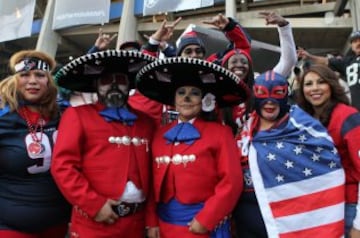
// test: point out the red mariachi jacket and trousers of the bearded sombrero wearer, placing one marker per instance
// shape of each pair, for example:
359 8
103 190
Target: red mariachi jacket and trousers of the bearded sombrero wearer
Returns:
90 168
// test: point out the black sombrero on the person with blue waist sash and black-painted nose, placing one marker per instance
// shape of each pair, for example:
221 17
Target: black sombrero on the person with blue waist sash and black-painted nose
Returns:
159 80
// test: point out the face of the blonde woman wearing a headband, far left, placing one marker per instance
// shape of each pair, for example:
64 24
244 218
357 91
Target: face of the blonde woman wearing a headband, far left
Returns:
33 85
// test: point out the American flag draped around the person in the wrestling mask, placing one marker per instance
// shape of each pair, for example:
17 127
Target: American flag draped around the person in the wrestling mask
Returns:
298 179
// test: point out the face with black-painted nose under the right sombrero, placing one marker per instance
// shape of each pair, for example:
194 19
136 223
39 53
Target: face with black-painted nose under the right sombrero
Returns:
188 102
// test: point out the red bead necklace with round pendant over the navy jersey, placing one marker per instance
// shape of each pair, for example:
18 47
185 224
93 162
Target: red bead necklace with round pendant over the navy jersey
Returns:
35 147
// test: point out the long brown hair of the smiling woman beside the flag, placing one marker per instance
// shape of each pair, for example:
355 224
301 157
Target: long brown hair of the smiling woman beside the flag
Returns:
338 94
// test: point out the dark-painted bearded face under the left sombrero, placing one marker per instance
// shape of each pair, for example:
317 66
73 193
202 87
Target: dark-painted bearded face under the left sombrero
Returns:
113 90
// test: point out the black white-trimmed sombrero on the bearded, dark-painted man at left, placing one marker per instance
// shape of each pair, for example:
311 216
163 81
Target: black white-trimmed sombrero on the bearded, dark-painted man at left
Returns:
80 73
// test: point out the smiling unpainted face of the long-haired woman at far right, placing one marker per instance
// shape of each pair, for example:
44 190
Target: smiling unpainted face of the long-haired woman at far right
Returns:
316 91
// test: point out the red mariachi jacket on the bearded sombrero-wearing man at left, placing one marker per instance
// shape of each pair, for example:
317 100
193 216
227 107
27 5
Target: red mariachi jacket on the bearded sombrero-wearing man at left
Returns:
88 168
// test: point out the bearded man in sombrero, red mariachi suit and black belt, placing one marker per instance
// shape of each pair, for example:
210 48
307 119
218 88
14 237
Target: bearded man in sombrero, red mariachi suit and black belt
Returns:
102 156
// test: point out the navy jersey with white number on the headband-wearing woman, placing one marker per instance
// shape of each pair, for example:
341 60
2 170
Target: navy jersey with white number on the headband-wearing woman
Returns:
29 198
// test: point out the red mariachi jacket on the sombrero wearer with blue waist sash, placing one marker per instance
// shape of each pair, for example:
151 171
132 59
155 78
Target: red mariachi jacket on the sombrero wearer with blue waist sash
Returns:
206 171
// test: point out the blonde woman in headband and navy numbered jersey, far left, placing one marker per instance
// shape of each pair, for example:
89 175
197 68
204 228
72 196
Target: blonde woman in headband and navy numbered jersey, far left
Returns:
31 205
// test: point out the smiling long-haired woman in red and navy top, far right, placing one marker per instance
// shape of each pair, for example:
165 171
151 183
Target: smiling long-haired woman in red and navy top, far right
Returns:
322 96
